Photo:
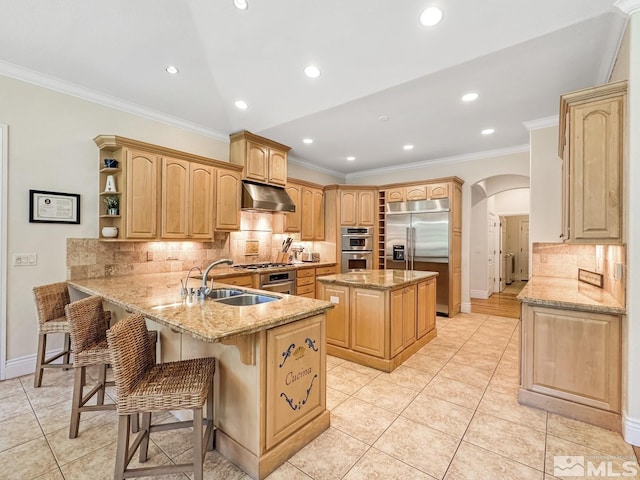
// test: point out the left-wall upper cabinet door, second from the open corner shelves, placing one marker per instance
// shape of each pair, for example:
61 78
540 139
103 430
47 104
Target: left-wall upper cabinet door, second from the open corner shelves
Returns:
175 198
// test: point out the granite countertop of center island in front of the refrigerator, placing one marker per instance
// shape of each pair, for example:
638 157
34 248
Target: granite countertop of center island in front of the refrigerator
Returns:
377 279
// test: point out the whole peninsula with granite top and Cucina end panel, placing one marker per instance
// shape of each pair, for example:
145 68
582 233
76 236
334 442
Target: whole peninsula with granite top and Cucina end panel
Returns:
270 382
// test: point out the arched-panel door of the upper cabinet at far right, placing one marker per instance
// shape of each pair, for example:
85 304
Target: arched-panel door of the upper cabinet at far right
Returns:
595 170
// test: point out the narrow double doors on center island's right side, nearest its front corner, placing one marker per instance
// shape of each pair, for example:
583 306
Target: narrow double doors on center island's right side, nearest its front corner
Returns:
403 318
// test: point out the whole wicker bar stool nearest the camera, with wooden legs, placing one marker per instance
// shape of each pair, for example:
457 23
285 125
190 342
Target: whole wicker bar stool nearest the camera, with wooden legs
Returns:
143 387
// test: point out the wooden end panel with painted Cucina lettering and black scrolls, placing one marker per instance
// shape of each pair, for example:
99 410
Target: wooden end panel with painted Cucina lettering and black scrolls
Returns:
295 391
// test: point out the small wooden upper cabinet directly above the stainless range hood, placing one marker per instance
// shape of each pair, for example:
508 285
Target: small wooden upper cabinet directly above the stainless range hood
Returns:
263 160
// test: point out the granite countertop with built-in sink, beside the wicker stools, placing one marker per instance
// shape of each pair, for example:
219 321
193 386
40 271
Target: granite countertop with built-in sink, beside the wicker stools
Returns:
157 297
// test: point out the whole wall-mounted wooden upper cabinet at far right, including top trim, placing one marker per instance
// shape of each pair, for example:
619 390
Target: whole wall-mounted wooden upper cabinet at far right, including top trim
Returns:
591 146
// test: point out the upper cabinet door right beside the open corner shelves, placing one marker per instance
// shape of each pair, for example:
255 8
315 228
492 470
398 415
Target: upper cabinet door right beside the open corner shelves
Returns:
142 194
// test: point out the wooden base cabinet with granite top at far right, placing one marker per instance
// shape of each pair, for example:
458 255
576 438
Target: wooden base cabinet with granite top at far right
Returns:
571 350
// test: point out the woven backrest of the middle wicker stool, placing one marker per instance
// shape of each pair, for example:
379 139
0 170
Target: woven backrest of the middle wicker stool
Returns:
86 322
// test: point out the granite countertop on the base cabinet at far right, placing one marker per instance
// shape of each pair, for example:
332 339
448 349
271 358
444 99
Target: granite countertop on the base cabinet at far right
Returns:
569 293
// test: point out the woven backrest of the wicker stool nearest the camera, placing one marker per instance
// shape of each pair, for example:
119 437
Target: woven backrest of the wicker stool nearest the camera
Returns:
131 353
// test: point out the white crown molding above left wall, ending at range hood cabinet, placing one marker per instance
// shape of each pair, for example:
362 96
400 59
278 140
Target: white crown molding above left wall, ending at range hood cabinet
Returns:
83 93
